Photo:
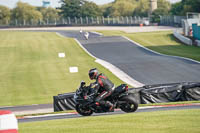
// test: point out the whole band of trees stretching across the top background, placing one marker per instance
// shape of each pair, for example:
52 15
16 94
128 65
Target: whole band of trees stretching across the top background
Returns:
25 13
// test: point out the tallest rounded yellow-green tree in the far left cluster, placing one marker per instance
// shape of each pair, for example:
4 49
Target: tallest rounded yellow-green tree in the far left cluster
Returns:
24 13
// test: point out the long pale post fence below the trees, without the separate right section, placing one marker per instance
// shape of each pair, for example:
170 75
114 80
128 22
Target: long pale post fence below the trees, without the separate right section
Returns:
79 21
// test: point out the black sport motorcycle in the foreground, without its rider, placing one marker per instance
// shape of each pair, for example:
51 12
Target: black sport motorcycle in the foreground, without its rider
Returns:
120 98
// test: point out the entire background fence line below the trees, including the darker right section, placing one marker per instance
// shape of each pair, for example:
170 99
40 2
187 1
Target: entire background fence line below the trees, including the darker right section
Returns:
94 21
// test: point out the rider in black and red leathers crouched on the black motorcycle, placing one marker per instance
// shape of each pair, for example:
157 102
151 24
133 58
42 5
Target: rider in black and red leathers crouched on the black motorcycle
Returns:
103 86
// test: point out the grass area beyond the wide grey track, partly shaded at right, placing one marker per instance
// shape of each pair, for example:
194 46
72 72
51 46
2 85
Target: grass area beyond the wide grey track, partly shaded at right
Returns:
162 42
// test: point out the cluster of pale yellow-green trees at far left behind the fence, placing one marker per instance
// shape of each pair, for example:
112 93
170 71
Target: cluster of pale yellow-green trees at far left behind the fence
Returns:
26 13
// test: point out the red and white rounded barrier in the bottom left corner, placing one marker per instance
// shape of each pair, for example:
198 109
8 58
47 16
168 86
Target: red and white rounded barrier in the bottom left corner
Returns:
8 122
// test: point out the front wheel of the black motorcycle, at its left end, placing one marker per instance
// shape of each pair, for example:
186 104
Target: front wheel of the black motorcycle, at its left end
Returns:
83 110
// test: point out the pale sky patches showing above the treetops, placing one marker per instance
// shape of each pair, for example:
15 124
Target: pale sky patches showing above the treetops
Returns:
54 3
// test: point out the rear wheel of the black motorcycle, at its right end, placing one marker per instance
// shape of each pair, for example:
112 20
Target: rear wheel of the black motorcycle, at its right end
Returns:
129 105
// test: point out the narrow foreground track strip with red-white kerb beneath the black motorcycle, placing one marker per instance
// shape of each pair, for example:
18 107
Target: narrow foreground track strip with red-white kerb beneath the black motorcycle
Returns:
75 115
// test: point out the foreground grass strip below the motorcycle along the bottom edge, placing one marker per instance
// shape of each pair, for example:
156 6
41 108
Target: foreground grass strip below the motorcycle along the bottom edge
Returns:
179 121
